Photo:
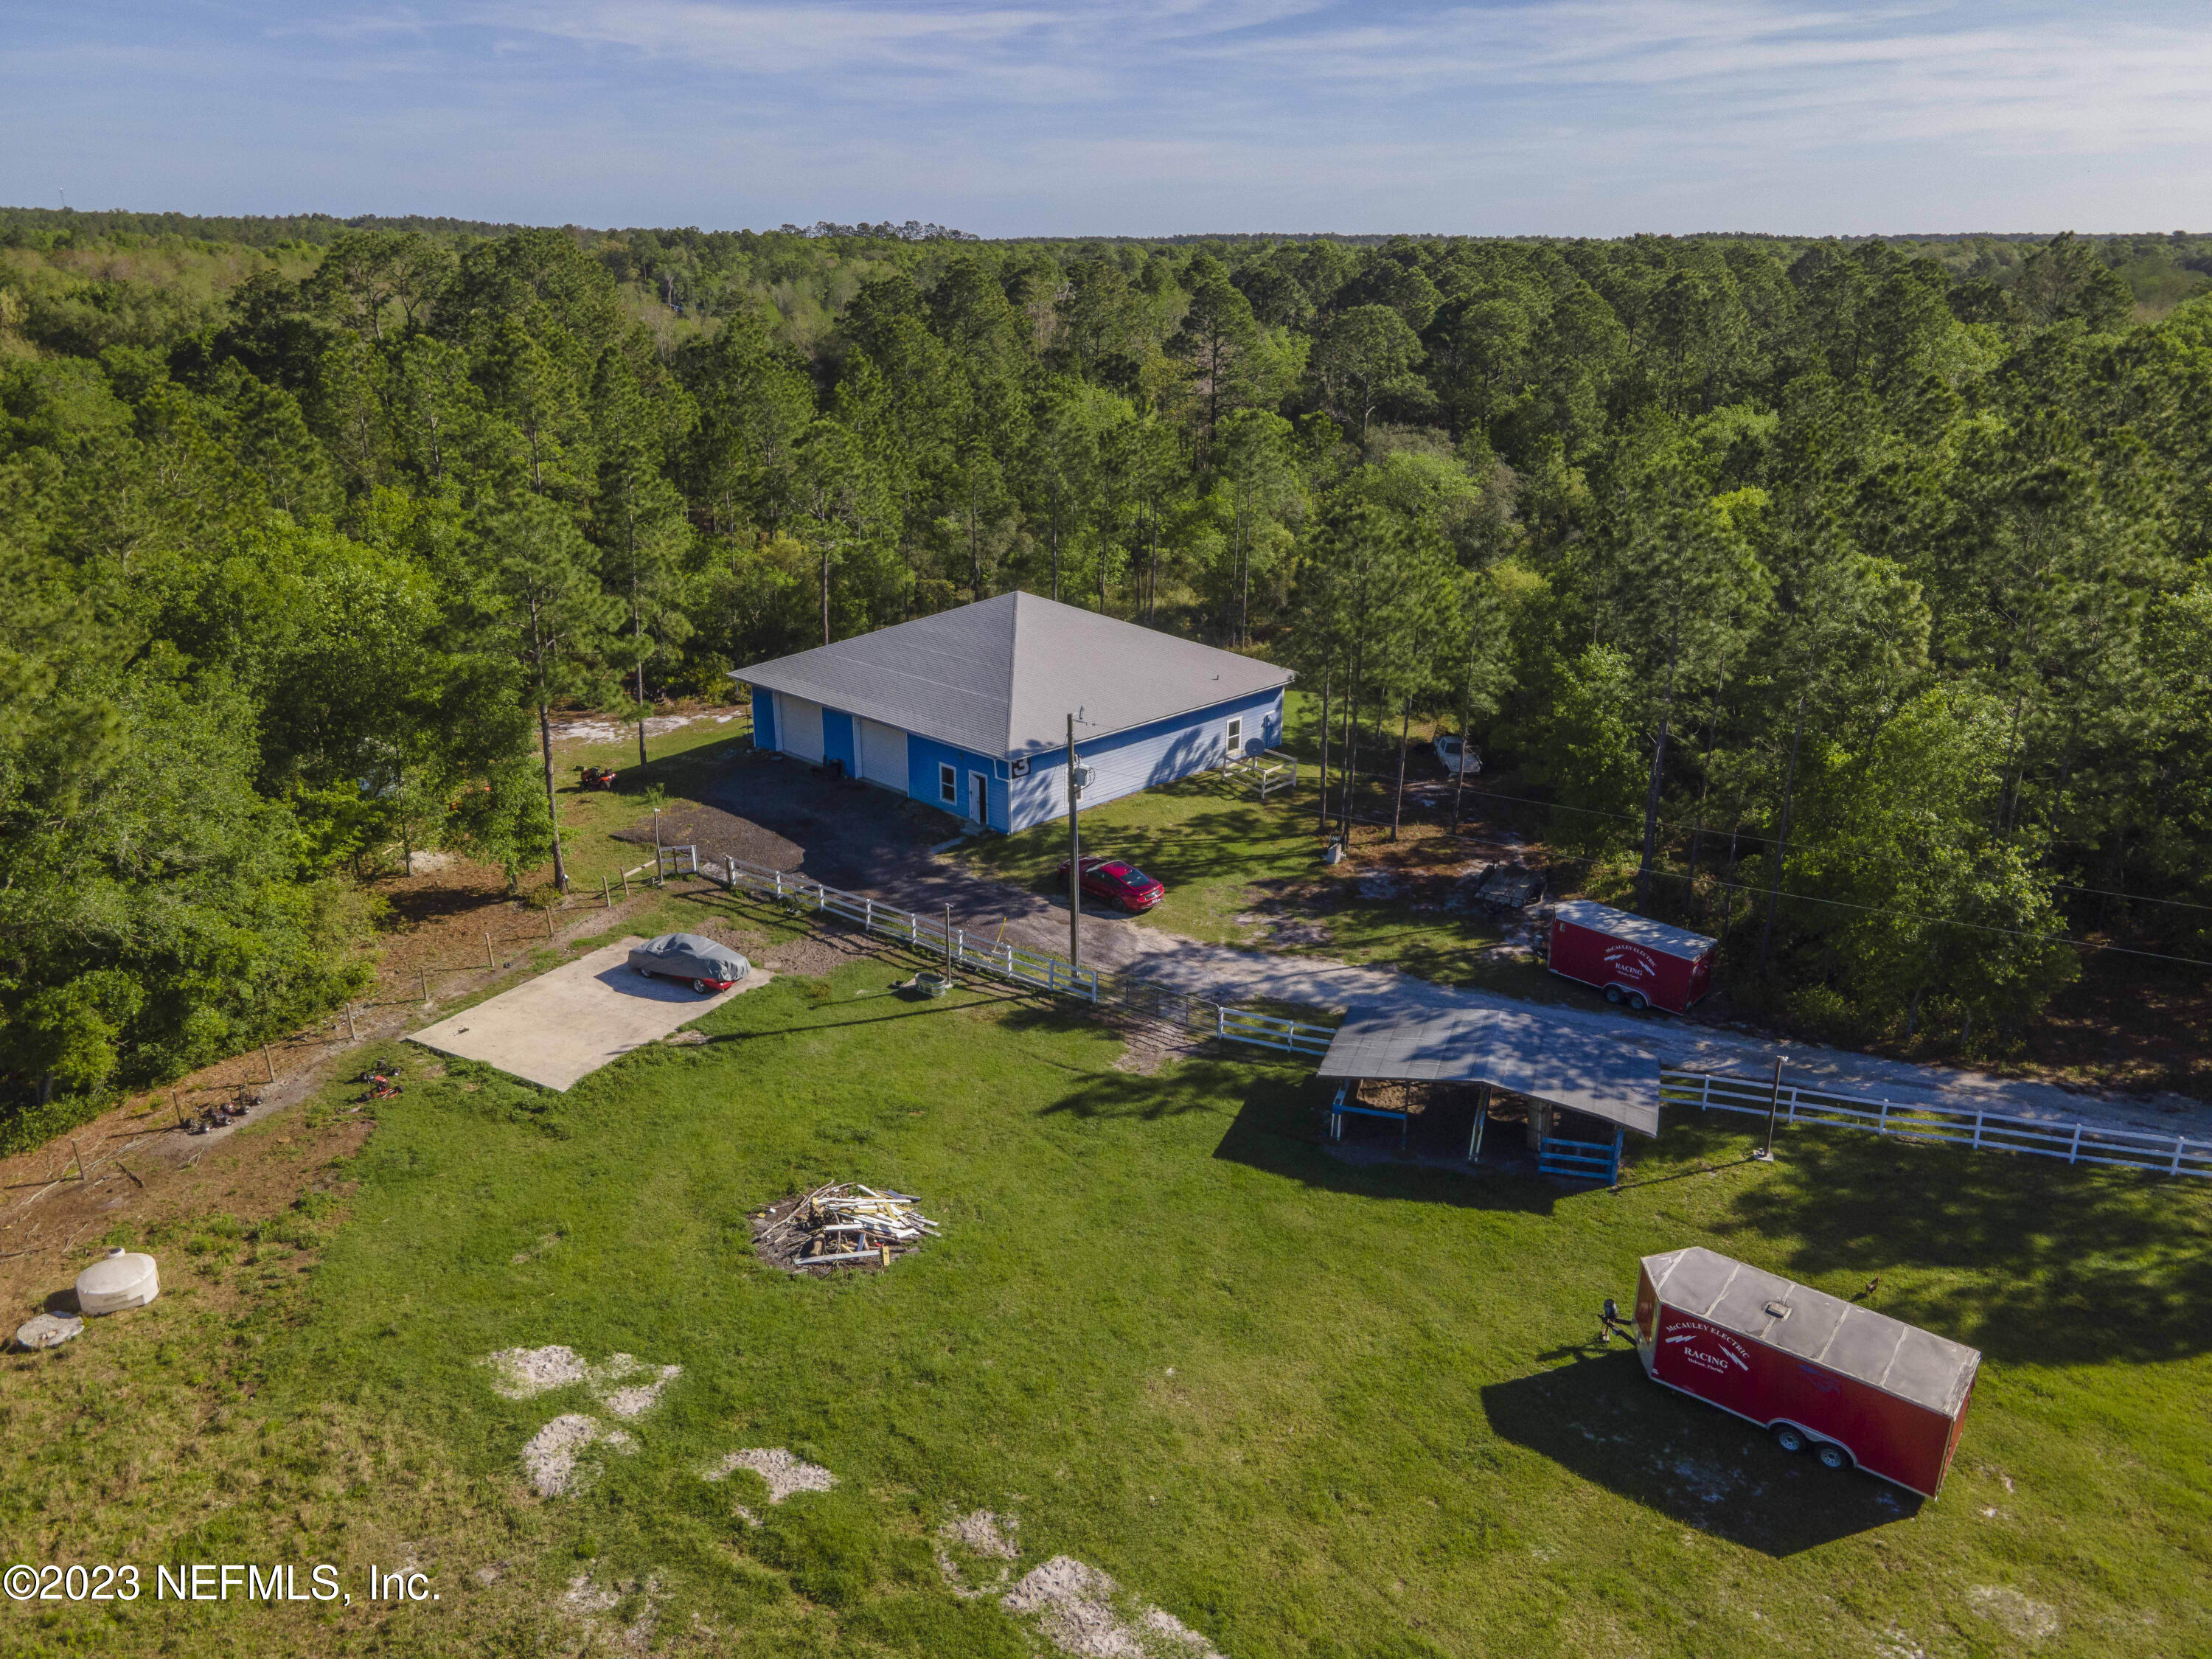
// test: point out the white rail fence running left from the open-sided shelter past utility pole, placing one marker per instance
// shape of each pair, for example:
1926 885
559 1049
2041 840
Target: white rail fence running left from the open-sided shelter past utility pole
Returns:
1021 966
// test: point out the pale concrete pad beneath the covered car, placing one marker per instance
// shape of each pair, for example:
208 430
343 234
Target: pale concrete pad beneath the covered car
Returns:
581 1016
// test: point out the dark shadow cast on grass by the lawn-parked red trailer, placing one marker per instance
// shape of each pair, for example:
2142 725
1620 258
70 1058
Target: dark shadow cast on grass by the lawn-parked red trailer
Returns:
1607 1423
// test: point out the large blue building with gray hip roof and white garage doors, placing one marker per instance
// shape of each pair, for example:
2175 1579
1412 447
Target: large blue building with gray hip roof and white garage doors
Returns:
970 709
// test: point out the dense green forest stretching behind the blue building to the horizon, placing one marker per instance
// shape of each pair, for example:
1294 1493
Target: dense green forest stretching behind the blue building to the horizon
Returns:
1846 598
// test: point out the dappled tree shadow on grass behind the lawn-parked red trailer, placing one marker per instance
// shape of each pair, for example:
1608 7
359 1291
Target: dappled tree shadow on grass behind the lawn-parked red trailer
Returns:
2027 1260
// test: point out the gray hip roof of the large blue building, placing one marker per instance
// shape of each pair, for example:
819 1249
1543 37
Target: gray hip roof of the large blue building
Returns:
1005 674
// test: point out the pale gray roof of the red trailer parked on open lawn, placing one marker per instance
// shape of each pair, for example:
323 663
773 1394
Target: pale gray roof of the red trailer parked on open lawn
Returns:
1848 1339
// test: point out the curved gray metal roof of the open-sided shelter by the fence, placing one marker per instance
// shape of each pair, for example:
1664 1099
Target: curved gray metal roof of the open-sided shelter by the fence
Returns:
1521 1052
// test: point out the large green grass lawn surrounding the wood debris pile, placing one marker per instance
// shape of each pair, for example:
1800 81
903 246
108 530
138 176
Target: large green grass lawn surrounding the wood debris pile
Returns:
1306 1408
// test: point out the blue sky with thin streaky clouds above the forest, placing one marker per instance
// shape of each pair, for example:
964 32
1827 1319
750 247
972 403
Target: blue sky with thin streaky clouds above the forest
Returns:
1127 116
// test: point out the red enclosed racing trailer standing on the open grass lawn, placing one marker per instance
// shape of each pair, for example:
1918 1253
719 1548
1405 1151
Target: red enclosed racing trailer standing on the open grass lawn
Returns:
1853 1386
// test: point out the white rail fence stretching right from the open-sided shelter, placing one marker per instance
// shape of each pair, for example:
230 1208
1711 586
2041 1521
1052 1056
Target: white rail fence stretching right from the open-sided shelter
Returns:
1941 1125
